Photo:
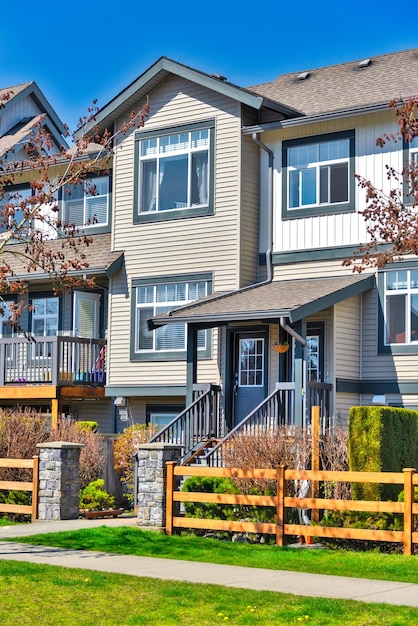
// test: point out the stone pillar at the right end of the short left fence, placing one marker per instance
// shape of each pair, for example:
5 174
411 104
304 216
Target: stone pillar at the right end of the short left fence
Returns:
59 480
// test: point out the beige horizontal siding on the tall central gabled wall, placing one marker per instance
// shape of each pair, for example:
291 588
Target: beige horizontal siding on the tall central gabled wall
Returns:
178 246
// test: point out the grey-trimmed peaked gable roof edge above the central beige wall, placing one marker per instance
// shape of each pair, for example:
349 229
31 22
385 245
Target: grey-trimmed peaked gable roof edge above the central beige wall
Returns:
127 100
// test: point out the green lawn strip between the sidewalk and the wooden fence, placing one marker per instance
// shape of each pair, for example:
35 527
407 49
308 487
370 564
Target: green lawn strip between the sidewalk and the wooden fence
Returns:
132 540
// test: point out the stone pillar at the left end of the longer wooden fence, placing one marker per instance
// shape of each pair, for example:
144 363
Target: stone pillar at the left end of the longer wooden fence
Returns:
150 482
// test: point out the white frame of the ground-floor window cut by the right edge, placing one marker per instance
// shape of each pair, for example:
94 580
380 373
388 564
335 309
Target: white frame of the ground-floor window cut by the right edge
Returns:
403 283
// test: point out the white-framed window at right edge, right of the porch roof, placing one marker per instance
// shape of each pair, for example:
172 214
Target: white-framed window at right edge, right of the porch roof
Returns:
401 306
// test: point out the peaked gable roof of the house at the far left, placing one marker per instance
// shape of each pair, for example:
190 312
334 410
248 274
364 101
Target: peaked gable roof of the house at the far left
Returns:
12 136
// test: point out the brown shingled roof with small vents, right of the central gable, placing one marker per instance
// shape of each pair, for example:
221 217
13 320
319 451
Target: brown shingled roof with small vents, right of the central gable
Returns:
356 85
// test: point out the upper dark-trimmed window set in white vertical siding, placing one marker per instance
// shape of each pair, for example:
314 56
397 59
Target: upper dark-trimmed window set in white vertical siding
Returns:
317 175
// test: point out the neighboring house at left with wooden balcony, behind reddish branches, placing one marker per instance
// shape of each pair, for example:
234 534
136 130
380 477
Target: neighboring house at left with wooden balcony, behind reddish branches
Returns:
62 370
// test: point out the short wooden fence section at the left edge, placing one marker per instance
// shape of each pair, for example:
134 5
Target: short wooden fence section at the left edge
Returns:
33 487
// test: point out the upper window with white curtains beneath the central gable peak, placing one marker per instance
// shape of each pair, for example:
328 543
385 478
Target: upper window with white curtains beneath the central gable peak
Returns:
175 172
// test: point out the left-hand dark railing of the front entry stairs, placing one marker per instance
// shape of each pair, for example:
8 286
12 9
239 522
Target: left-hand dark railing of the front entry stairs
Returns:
198 422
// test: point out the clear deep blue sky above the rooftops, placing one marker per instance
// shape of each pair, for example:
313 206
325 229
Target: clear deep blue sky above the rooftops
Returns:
79 51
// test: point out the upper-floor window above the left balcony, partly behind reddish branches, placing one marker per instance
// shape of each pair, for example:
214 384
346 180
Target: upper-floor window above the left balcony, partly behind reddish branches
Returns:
87 204
